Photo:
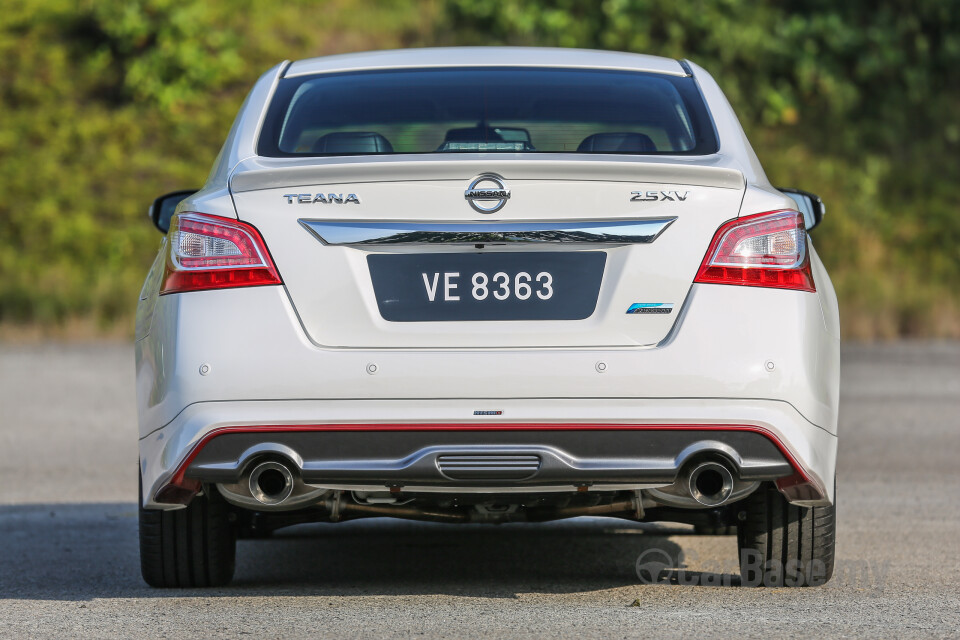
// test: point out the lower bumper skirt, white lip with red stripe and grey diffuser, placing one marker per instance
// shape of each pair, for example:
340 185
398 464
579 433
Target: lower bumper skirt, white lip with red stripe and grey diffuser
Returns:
434 448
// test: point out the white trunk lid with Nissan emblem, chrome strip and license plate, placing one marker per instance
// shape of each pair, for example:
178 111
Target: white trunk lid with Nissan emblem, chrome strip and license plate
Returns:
342 292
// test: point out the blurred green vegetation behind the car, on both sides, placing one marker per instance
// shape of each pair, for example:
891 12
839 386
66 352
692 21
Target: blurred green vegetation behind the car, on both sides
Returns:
106 104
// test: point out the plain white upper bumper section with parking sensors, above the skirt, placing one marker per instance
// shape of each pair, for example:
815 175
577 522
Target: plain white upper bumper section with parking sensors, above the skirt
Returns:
728 342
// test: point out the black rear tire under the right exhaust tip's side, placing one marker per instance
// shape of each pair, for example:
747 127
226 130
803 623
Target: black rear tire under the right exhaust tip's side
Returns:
783 545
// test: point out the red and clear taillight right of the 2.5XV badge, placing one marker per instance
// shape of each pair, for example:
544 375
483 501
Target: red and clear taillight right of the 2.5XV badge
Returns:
762 250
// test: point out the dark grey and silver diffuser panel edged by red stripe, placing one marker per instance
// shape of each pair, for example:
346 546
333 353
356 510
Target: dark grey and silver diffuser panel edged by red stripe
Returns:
514 457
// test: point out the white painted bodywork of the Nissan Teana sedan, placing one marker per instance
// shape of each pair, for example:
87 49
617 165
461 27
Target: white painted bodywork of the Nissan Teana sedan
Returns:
301 353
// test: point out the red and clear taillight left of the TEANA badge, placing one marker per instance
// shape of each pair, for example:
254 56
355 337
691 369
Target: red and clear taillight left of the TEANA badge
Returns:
209 252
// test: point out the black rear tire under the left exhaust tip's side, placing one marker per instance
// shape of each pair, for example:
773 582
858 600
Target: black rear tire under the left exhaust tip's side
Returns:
191 547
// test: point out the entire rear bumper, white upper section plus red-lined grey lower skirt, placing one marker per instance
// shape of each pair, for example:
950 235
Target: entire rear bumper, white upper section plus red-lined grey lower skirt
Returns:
738 359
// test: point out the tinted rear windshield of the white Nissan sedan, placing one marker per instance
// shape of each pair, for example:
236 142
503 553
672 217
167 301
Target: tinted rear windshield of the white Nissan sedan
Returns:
487 110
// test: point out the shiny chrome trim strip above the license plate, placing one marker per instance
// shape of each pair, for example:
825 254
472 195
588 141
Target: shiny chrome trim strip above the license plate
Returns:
332 232
